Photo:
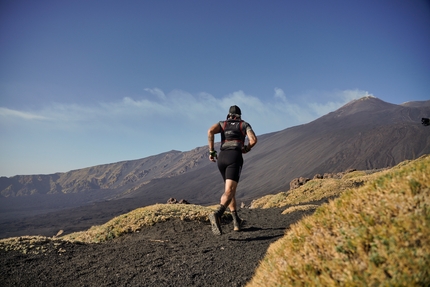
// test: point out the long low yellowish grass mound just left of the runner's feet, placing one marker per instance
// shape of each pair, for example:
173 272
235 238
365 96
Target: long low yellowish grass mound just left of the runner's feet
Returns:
139 218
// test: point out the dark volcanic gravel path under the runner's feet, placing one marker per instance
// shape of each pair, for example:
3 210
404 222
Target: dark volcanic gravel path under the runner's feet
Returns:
173 253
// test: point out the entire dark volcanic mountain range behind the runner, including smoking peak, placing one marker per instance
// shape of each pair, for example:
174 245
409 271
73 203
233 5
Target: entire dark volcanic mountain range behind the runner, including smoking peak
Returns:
368 134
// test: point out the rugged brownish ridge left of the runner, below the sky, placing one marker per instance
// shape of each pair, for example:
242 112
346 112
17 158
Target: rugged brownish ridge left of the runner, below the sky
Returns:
120 175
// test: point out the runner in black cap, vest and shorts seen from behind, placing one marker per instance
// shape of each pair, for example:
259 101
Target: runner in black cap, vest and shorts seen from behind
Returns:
233 132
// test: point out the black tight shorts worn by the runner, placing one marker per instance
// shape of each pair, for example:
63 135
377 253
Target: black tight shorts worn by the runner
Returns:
230 164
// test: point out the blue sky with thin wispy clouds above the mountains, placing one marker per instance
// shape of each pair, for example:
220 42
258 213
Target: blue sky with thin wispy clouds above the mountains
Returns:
84 83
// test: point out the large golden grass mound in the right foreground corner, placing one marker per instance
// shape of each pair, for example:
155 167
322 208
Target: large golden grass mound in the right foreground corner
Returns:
378 234
